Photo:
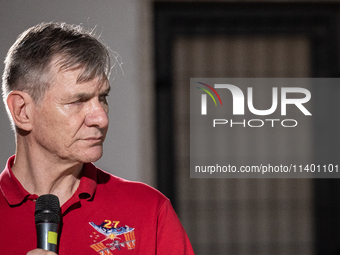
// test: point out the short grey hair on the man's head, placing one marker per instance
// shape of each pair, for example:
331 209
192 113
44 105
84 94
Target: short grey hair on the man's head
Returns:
29 59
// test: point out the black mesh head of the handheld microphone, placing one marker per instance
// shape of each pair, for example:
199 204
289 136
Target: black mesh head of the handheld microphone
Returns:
47 209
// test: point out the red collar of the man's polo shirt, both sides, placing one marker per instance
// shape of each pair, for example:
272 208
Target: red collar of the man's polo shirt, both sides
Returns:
16 194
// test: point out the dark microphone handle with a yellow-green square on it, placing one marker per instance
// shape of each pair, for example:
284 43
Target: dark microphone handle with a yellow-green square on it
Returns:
47 236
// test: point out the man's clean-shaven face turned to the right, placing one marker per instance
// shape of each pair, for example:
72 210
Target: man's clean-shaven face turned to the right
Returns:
71 121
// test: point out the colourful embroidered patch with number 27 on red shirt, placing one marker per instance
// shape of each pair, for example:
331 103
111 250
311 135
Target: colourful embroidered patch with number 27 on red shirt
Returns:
108 237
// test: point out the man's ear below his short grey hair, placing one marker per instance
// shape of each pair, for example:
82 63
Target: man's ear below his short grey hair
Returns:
19 104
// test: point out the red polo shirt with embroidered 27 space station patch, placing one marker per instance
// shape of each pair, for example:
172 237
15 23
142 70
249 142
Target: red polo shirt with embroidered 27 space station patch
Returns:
106 215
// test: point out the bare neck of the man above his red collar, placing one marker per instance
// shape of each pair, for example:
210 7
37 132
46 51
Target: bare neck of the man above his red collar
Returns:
40 175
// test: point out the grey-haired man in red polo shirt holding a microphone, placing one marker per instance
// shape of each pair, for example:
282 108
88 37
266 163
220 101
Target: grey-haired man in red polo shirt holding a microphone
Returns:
55 86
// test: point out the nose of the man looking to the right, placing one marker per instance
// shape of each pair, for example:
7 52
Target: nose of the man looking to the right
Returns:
97 115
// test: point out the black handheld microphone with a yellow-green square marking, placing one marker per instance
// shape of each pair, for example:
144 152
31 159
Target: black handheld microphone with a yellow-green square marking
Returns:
47 217
